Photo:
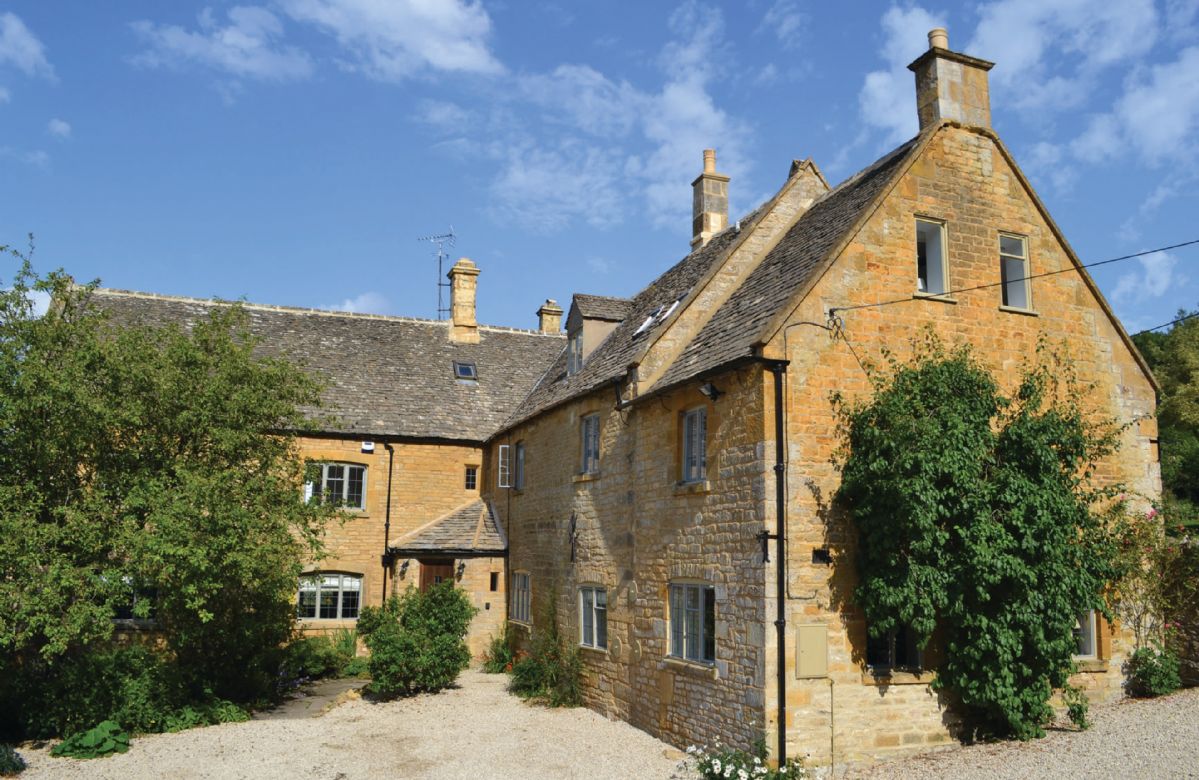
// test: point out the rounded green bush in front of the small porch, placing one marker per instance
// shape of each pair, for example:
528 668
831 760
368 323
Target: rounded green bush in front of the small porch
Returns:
418 640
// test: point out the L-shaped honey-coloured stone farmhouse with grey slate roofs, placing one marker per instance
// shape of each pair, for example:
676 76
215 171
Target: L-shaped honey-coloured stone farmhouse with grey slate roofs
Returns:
659 481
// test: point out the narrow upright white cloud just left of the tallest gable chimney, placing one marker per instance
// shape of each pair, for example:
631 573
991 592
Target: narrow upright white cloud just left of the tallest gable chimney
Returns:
888 100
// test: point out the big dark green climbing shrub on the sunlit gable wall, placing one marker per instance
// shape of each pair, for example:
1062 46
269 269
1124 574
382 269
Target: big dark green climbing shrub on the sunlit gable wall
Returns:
978 517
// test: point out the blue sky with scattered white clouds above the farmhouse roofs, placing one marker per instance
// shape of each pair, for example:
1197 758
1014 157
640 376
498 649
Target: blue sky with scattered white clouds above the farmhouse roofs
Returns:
293 152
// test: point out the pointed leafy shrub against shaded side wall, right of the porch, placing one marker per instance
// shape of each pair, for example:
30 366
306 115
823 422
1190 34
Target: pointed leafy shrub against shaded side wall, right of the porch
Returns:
552 672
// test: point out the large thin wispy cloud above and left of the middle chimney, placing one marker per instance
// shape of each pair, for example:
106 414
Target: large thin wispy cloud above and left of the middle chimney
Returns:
594 144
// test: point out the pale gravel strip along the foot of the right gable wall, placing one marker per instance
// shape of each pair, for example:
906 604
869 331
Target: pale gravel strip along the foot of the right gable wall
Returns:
1150 740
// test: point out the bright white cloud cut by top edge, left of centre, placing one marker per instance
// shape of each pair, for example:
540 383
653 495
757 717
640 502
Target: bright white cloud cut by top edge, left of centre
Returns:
393 40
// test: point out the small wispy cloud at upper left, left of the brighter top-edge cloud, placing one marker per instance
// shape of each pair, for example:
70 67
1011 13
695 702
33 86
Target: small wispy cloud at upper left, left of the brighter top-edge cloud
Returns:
248 47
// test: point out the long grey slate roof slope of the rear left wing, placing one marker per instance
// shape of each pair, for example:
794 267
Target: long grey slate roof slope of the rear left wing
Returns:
385 377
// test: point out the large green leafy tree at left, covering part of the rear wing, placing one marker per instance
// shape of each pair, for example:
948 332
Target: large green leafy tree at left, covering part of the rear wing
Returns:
137 459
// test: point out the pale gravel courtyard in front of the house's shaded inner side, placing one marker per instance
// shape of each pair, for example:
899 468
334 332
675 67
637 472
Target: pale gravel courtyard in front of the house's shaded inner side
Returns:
474 731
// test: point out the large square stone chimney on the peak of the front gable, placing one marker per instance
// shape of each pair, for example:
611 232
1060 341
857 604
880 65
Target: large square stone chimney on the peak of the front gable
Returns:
951 86
